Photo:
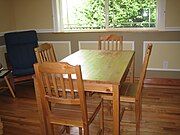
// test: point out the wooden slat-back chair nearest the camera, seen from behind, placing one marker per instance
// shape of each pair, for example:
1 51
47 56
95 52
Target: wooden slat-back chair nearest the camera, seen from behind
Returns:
61 84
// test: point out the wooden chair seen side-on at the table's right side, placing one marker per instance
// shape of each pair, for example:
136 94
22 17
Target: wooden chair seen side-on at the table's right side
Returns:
132 92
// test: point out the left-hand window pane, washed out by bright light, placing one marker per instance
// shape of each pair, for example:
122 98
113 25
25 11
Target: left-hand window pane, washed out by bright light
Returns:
83 14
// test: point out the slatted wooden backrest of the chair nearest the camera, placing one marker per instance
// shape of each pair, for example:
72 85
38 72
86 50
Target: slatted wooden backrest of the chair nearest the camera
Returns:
61 83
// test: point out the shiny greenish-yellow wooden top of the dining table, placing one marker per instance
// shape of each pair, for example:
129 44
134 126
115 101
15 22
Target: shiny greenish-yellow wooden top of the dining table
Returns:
101 66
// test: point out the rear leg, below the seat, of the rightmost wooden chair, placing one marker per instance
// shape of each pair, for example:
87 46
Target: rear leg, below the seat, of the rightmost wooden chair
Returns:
137 117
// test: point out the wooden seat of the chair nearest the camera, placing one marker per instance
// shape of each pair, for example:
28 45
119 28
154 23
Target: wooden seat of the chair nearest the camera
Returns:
71 114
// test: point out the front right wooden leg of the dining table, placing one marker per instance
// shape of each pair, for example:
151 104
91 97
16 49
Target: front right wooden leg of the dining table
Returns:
116 110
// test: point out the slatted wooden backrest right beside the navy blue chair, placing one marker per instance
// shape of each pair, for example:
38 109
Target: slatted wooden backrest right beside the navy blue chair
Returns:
45 52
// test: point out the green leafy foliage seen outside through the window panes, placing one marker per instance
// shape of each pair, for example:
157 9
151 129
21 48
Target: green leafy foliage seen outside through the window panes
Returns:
121 14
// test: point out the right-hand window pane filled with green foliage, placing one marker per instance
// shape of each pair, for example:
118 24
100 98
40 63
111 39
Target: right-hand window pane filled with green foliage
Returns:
132 13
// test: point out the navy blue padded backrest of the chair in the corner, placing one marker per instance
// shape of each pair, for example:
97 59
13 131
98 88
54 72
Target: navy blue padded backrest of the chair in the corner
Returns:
20 49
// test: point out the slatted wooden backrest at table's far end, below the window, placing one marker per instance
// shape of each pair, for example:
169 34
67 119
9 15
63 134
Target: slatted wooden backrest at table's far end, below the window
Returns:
110 42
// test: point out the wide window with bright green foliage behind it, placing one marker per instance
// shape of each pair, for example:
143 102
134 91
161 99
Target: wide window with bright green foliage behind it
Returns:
74 15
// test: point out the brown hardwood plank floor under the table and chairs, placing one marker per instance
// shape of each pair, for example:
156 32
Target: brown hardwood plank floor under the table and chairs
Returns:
160 116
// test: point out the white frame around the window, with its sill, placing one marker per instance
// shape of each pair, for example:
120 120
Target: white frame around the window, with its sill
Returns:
58 22
